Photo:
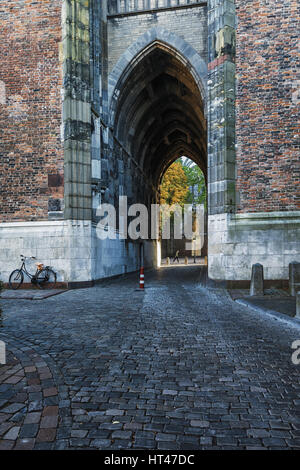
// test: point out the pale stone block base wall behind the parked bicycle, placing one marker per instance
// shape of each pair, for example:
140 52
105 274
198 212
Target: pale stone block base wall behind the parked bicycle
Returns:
72 248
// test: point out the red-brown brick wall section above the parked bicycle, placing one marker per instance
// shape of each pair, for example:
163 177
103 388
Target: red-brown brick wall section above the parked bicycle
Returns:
31 176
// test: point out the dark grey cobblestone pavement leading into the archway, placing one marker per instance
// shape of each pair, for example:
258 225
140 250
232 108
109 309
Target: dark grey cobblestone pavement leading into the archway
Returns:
181 366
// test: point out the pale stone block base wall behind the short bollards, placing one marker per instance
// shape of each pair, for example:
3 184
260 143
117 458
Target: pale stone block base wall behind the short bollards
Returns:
237 241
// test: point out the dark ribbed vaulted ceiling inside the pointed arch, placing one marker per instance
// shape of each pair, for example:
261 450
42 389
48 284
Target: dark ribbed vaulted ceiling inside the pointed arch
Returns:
160 114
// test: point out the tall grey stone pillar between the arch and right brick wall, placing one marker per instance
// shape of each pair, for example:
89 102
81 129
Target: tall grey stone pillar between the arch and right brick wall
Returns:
221 106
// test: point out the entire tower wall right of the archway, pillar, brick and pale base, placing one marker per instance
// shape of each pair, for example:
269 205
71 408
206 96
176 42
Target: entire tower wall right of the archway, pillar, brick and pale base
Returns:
254 164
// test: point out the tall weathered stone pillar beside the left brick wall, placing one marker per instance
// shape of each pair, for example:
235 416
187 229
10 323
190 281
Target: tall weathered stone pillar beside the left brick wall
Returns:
77 109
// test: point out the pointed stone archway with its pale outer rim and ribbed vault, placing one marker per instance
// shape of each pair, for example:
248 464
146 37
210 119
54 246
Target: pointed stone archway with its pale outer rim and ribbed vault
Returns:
157 111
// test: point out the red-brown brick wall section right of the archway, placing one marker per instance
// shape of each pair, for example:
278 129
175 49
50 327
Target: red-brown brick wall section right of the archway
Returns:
267 126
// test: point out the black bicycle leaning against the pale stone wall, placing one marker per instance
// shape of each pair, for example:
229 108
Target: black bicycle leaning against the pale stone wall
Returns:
43 275
